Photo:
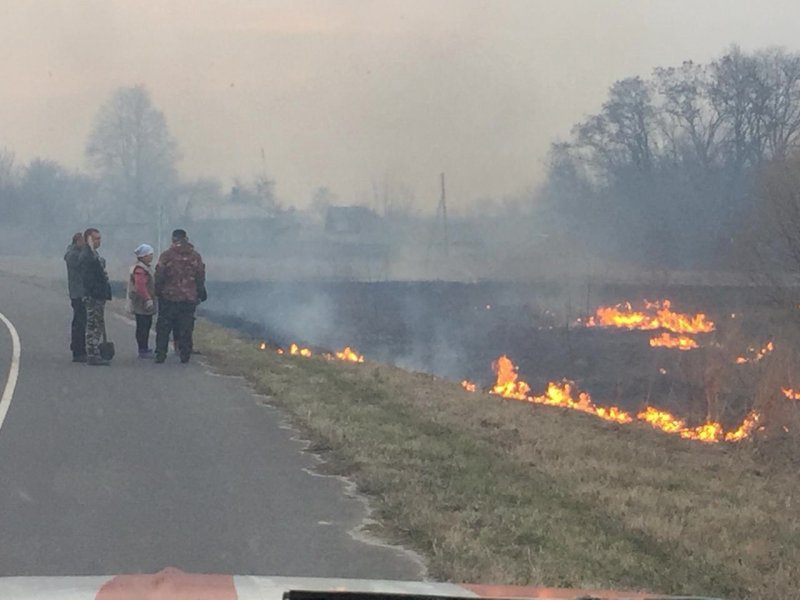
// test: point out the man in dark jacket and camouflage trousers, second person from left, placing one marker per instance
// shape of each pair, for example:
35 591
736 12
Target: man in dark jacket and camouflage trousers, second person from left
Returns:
92 268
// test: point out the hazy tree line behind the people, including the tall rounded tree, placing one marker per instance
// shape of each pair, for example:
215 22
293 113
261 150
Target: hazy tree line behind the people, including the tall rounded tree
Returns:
132 178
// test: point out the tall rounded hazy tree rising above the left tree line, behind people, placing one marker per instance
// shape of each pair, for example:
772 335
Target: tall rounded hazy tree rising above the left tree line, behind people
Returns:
133 152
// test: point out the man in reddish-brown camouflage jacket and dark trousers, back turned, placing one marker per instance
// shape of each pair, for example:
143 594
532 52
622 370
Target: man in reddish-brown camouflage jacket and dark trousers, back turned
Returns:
180 286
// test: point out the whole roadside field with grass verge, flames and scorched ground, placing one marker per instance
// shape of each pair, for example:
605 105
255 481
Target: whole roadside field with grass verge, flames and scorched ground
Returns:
606 436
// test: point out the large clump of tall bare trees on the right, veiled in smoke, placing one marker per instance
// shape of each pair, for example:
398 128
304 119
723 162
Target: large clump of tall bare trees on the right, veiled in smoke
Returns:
668 170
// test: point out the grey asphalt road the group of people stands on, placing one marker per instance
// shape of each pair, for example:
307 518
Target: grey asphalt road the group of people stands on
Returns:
137 466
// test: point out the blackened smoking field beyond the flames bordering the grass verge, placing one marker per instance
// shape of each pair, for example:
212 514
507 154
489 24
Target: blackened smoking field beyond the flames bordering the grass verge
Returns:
456 330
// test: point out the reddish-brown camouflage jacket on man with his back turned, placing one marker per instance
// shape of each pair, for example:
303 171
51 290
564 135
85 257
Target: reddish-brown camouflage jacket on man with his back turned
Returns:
181 274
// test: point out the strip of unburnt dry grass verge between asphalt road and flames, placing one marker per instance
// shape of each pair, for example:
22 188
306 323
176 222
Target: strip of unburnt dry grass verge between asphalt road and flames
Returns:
496 490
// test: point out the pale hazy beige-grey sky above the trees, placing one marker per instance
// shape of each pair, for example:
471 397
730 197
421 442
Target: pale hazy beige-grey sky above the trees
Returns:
341 93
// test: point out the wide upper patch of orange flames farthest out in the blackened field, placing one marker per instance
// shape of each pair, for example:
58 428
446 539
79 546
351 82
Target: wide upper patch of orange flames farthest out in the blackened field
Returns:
657 315
